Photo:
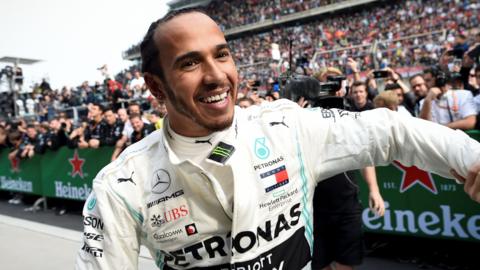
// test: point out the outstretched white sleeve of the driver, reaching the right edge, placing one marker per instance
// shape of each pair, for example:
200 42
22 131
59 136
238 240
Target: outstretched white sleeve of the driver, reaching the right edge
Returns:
336 141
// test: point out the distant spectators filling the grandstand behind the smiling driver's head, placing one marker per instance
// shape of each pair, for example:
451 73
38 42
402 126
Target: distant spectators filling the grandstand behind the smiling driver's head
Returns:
389 33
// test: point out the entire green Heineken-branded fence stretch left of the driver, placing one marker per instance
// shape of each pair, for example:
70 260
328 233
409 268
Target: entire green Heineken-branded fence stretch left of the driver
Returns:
66 173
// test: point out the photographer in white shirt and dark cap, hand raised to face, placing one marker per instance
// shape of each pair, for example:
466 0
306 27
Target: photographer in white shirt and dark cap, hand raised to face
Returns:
453 108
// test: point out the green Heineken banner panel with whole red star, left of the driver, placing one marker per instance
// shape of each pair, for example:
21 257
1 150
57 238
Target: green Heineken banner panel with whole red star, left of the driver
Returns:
68 173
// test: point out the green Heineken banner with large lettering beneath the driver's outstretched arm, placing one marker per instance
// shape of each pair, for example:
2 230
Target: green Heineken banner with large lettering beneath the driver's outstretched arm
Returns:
422 204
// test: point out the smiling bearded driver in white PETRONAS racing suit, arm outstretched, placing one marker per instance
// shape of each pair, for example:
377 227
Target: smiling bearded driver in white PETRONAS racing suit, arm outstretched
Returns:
226 188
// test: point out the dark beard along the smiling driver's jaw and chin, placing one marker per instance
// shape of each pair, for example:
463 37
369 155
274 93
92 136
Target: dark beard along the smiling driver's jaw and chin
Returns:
182 108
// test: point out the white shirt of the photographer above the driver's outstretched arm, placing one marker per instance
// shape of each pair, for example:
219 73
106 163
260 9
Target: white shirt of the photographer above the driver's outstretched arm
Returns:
452 106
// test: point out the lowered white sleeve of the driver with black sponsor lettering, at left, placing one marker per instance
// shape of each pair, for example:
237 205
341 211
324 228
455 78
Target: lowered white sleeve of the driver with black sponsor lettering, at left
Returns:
111 238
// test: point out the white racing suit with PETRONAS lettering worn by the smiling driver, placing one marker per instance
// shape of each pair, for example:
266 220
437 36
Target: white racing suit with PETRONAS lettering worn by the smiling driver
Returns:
275 154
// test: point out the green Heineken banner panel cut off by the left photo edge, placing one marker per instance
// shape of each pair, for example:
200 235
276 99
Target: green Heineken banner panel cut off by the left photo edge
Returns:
20 175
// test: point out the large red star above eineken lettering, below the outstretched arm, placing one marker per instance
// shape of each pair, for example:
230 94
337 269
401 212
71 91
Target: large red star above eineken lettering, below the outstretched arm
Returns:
413 175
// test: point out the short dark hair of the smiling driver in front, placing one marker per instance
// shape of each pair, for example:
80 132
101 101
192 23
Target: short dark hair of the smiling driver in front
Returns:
148 49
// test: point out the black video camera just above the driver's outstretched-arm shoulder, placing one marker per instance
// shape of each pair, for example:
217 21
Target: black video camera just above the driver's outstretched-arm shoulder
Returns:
318 94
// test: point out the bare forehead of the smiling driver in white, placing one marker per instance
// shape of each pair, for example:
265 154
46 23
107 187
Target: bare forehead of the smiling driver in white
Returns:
187 32
